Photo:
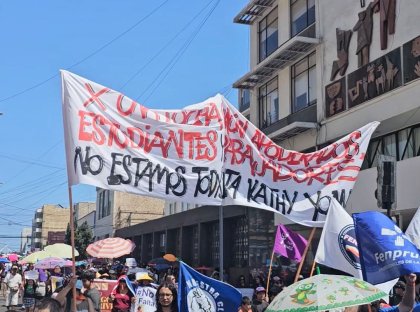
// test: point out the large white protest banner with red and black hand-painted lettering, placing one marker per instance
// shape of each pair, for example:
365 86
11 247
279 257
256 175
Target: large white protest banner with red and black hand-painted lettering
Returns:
207 153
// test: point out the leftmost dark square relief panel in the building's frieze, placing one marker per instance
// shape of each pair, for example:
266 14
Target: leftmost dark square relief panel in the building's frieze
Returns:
335 97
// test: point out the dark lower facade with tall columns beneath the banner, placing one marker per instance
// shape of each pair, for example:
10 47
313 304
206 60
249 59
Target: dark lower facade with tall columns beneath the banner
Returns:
193 236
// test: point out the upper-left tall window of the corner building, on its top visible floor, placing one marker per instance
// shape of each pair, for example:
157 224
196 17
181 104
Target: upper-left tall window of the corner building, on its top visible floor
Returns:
268 34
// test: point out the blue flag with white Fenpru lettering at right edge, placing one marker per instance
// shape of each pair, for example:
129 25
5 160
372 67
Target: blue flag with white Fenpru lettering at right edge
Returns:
385 251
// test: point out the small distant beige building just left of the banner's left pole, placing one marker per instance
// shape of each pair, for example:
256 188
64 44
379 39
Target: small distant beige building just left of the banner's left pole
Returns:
50 221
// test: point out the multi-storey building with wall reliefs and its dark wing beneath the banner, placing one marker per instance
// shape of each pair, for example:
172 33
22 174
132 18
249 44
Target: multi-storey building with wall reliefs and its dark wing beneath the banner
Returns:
318 71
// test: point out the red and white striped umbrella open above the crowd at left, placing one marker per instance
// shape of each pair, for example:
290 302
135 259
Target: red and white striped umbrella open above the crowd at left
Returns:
113 247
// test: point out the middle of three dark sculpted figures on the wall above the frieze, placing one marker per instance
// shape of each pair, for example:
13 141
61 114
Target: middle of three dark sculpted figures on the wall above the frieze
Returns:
364 28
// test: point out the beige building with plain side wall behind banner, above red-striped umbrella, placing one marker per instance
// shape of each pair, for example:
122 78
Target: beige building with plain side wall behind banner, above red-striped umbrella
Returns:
116 210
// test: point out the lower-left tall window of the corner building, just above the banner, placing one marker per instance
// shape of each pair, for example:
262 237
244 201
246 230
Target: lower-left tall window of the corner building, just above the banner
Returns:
269 103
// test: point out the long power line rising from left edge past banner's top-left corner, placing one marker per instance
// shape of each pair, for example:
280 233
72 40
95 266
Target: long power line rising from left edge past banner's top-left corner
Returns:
85 58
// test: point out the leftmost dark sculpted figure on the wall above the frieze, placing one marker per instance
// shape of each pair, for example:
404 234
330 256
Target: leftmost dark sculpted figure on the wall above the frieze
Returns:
343 43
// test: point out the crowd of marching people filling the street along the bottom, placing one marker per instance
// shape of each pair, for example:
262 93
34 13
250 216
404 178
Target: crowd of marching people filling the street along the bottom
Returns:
43 294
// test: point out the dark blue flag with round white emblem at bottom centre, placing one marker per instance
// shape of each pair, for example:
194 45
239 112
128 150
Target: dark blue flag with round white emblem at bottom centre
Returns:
200 293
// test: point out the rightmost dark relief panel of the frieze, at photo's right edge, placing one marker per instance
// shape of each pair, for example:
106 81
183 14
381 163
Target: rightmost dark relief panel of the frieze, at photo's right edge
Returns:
411 56
